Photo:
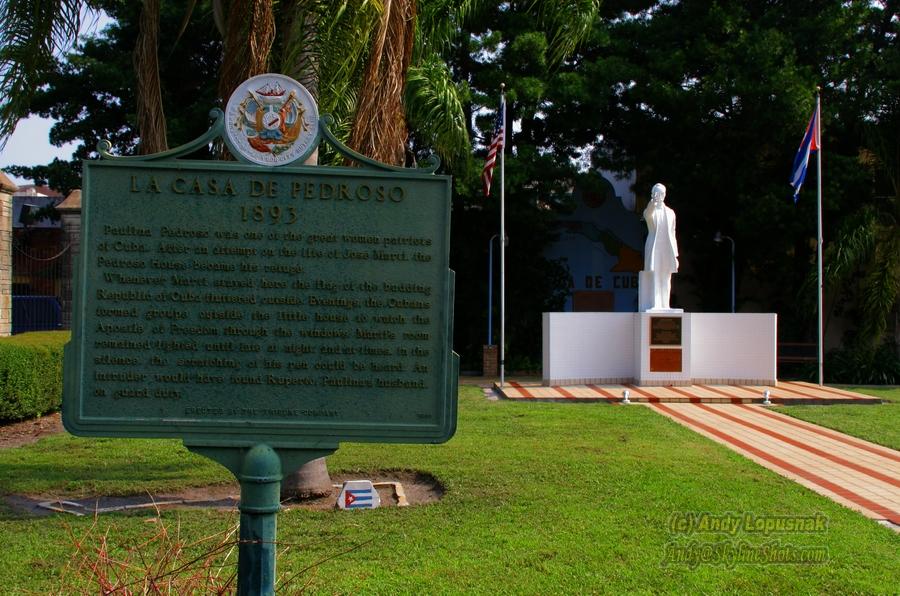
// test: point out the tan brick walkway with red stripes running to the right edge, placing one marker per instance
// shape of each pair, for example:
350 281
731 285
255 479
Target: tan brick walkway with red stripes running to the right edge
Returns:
858 474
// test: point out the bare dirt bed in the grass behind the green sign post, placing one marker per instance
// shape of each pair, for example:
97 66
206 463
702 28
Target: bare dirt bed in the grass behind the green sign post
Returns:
415 488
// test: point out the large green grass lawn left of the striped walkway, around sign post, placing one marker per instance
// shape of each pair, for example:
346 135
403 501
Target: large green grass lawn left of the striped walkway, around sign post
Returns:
541 498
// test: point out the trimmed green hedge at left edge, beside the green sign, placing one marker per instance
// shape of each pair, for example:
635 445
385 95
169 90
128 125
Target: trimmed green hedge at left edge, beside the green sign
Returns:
31 374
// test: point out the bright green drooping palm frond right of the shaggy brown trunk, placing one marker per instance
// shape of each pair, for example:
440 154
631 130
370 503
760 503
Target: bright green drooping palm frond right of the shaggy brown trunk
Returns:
434 108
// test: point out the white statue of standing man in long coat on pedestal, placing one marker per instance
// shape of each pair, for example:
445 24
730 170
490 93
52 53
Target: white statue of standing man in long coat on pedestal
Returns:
660 251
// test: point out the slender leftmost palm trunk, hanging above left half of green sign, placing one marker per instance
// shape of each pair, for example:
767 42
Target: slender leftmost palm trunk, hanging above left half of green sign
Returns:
150 116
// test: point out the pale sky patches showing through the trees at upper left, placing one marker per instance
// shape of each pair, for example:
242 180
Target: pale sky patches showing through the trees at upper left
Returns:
30 143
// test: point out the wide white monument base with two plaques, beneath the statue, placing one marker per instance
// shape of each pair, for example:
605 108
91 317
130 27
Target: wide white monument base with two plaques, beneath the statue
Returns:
659 348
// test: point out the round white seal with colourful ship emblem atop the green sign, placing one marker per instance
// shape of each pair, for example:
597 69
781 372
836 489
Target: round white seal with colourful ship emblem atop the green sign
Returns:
271 120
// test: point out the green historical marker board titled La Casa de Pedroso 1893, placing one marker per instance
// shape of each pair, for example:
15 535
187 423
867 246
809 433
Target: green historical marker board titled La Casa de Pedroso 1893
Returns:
293 306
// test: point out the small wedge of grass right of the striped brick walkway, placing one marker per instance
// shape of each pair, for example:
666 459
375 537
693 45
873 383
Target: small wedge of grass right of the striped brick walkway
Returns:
879 424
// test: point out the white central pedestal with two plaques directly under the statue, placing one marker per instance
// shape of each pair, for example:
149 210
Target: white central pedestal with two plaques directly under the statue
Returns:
662 340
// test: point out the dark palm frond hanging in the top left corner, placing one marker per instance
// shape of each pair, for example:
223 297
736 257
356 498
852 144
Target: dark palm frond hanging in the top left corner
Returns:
32 35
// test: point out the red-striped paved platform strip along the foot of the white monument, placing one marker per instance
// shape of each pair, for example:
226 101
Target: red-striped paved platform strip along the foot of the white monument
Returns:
785 392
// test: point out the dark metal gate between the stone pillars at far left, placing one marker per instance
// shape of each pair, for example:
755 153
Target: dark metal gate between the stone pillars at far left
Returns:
37 285
